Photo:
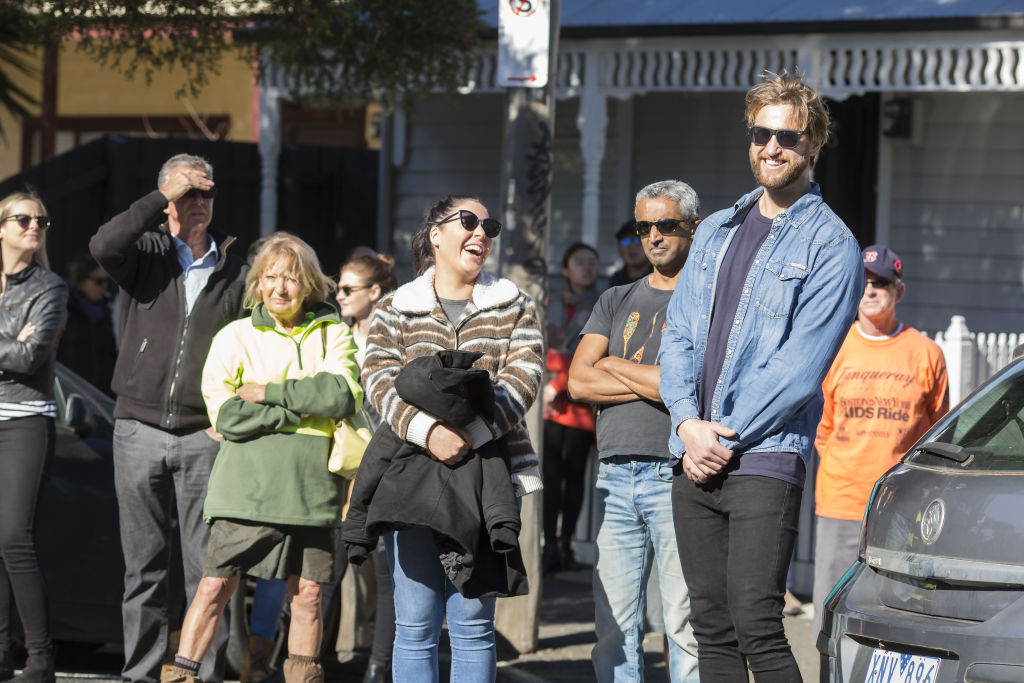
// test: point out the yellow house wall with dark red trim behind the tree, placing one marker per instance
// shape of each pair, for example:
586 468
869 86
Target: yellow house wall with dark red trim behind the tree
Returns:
88 90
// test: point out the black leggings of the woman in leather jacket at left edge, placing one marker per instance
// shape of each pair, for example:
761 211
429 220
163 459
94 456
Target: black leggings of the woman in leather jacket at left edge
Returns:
26 447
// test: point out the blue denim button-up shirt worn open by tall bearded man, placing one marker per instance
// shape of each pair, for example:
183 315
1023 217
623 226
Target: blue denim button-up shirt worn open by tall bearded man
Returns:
798 303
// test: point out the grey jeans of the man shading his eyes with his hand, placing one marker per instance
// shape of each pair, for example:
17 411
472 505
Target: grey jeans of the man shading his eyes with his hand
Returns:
154 468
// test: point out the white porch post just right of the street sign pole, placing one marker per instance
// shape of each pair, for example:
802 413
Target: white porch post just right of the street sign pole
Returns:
592 122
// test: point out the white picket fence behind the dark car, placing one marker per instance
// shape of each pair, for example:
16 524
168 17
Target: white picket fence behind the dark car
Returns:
973 357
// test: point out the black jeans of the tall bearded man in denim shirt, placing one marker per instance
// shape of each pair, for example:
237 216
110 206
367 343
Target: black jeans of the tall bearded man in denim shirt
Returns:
736 537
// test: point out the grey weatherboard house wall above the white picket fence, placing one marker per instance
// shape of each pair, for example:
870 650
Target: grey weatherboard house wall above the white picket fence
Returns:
957 216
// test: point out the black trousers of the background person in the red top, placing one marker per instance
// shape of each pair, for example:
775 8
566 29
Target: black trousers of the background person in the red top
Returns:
566 453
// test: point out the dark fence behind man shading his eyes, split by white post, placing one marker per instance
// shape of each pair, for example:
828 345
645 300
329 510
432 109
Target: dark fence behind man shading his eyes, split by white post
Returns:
328 196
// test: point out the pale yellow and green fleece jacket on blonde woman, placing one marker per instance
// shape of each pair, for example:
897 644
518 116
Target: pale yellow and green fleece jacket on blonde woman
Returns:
272 467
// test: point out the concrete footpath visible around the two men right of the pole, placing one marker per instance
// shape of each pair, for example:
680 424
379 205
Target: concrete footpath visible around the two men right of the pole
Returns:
567 636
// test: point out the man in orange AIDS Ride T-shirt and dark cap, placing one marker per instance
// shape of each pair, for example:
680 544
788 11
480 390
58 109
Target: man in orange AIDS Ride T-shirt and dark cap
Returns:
886 389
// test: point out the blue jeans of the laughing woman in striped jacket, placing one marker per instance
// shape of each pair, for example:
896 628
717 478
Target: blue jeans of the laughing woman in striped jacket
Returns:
423 596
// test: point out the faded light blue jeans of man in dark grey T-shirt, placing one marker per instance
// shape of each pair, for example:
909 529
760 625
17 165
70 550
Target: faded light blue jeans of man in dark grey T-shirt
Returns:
634 498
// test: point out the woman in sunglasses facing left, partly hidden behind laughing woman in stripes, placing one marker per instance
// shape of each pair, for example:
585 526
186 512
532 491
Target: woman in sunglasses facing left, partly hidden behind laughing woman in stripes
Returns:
362 283
